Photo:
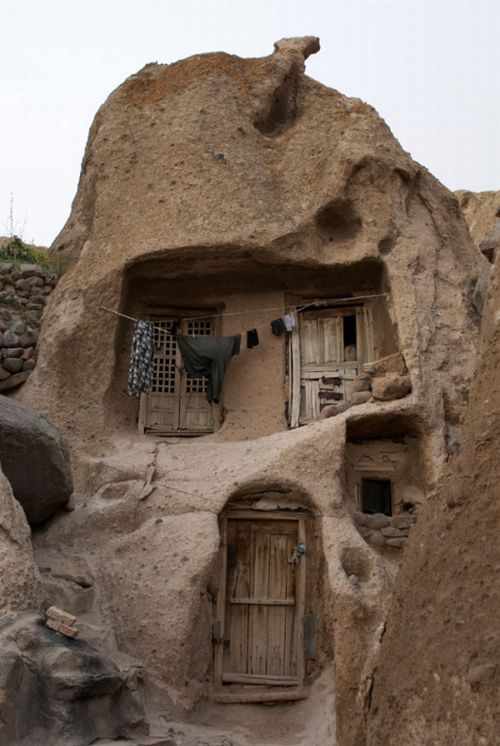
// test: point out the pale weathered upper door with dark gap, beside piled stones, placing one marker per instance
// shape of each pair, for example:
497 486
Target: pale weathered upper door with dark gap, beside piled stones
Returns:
323 366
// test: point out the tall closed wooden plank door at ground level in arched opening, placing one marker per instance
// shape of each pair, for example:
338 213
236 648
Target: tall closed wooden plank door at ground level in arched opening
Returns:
263 601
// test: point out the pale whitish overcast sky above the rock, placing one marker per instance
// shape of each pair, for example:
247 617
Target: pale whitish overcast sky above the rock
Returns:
430 68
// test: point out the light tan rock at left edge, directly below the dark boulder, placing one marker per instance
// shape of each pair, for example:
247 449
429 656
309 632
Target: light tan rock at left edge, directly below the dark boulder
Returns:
20 580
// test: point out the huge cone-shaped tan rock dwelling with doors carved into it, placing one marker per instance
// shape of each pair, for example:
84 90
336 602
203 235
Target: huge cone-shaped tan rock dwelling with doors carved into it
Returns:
246 188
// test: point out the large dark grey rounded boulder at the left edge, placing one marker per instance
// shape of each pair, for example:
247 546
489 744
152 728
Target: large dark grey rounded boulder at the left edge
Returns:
35 459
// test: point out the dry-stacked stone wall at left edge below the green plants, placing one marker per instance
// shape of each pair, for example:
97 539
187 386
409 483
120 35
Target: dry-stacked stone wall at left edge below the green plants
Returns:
24 291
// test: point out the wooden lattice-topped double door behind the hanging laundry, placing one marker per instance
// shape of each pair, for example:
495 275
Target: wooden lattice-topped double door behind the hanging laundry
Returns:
176 404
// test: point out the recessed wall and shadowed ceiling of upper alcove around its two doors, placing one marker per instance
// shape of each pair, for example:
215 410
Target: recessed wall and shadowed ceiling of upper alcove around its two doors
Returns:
255 393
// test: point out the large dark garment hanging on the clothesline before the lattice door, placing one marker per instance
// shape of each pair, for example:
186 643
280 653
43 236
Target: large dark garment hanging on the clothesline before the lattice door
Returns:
208 356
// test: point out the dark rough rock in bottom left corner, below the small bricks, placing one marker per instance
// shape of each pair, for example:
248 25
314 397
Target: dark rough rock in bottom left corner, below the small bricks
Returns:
55 690
